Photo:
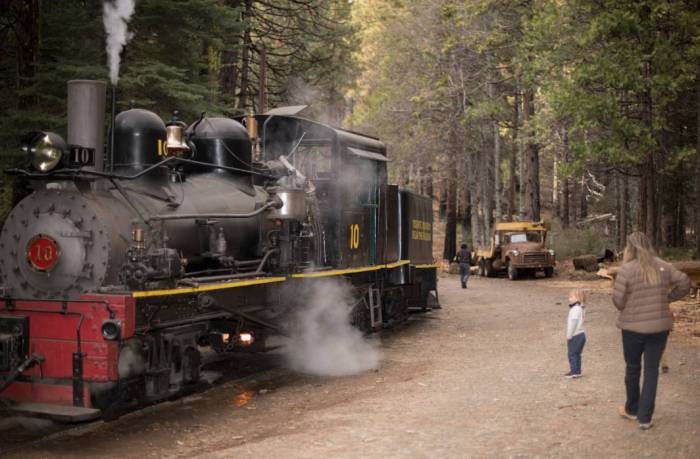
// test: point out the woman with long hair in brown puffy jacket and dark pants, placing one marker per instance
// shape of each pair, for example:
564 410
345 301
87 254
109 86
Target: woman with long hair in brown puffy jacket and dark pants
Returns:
644 287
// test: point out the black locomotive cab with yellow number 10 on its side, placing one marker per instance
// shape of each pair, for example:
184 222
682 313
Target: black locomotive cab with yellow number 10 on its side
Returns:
347 171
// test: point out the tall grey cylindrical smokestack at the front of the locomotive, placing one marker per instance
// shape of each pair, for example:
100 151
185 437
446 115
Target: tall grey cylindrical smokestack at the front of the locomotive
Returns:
86 117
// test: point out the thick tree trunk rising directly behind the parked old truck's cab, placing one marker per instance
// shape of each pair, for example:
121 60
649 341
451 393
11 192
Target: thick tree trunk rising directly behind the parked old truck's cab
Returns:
532 184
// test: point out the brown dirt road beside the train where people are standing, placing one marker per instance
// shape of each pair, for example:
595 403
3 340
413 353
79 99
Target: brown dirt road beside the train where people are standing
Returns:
480 378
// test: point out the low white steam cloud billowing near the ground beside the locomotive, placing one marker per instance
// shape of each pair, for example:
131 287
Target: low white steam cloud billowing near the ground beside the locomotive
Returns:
324 342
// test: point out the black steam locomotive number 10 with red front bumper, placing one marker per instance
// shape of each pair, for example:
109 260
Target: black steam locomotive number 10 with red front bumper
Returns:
121 266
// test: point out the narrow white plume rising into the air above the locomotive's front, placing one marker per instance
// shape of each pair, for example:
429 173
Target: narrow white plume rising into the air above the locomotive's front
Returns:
116 16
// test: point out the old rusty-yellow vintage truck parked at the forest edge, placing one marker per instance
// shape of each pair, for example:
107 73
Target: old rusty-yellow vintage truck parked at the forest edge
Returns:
517 248
